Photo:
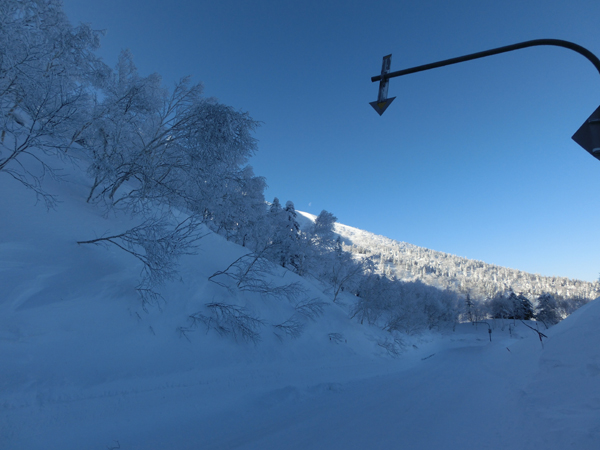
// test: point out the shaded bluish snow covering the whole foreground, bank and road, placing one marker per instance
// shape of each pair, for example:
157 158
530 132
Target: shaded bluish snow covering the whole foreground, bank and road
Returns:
82 366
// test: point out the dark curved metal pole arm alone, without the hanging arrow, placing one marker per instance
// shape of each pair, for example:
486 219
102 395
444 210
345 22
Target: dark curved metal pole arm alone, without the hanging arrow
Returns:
509 48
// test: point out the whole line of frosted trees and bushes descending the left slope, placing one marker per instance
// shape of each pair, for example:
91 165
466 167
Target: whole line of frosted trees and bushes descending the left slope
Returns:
176 162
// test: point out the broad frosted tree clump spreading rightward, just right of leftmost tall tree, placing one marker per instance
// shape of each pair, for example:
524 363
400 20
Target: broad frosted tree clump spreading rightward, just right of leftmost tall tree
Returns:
150 146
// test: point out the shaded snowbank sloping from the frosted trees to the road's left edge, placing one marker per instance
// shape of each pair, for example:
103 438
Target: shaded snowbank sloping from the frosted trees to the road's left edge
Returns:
75 341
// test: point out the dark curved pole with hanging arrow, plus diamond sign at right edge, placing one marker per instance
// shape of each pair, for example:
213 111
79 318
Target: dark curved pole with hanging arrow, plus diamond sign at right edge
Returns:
588 135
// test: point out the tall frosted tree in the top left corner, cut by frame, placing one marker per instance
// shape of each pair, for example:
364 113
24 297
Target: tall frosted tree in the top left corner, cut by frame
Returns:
47 69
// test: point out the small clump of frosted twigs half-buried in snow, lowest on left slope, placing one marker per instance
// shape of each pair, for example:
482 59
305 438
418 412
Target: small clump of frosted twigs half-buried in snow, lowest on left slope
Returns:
230 320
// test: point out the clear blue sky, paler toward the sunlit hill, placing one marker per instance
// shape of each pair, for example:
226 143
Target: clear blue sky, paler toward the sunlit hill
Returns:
474 159
